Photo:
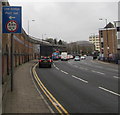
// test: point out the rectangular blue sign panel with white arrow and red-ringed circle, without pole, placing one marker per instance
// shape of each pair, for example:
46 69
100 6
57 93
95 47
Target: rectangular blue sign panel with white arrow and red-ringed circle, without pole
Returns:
11 19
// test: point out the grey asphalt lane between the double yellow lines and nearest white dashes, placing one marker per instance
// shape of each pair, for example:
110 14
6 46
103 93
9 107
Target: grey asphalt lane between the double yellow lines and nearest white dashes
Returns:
75 95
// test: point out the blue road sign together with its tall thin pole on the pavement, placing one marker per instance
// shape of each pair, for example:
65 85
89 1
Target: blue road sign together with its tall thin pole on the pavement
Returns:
11 23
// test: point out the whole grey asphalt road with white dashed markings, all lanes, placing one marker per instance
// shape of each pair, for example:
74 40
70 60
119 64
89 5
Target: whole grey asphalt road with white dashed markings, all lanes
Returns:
87 86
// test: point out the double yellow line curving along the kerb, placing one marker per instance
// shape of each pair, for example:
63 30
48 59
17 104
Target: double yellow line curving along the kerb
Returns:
55 103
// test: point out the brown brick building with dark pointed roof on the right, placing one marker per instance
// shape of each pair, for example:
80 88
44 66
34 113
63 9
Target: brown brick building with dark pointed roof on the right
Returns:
108 41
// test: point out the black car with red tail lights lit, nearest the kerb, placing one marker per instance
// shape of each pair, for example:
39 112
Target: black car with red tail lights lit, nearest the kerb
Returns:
45 62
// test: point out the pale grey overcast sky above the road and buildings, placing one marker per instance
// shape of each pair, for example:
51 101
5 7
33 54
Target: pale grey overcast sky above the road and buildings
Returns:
69 21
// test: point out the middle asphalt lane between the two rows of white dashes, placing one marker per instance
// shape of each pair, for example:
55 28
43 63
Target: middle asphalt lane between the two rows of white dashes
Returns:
94 78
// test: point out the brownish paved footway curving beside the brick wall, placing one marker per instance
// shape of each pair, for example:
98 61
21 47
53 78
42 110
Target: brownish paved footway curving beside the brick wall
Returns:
25 98
